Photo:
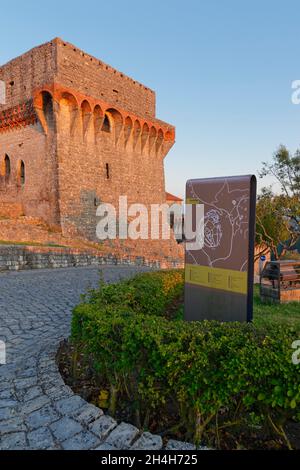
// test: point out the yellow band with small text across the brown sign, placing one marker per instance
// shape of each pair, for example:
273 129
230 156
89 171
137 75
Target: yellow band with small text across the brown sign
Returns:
217 278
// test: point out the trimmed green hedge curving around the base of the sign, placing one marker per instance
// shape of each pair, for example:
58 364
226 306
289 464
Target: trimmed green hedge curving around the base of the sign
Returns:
210 371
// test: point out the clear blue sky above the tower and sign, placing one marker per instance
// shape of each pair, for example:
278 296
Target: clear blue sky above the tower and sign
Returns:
222 71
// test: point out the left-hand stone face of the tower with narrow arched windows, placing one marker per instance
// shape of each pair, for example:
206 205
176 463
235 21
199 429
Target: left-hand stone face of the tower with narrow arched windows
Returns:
37 195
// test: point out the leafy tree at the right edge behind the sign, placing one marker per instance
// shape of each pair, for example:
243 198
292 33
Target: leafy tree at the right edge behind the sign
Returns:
278 215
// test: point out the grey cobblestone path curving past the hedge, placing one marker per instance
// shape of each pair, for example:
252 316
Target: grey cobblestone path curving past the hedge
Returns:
37 410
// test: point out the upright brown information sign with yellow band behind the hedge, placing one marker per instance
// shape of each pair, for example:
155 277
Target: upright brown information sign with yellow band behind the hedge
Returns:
219 274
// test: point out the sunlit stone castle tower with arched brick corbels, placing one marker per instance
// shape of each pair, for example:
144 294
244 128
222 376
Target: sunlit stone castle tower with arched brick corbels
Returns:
75 132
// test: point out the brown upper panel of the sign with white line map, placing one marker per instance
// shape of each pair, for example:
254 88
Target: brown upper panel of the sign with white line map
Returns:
226 221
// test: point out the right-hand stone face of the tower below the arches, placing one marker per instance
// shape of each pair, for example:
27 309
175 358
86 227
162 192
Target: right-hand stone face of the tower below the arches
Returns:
99 167
